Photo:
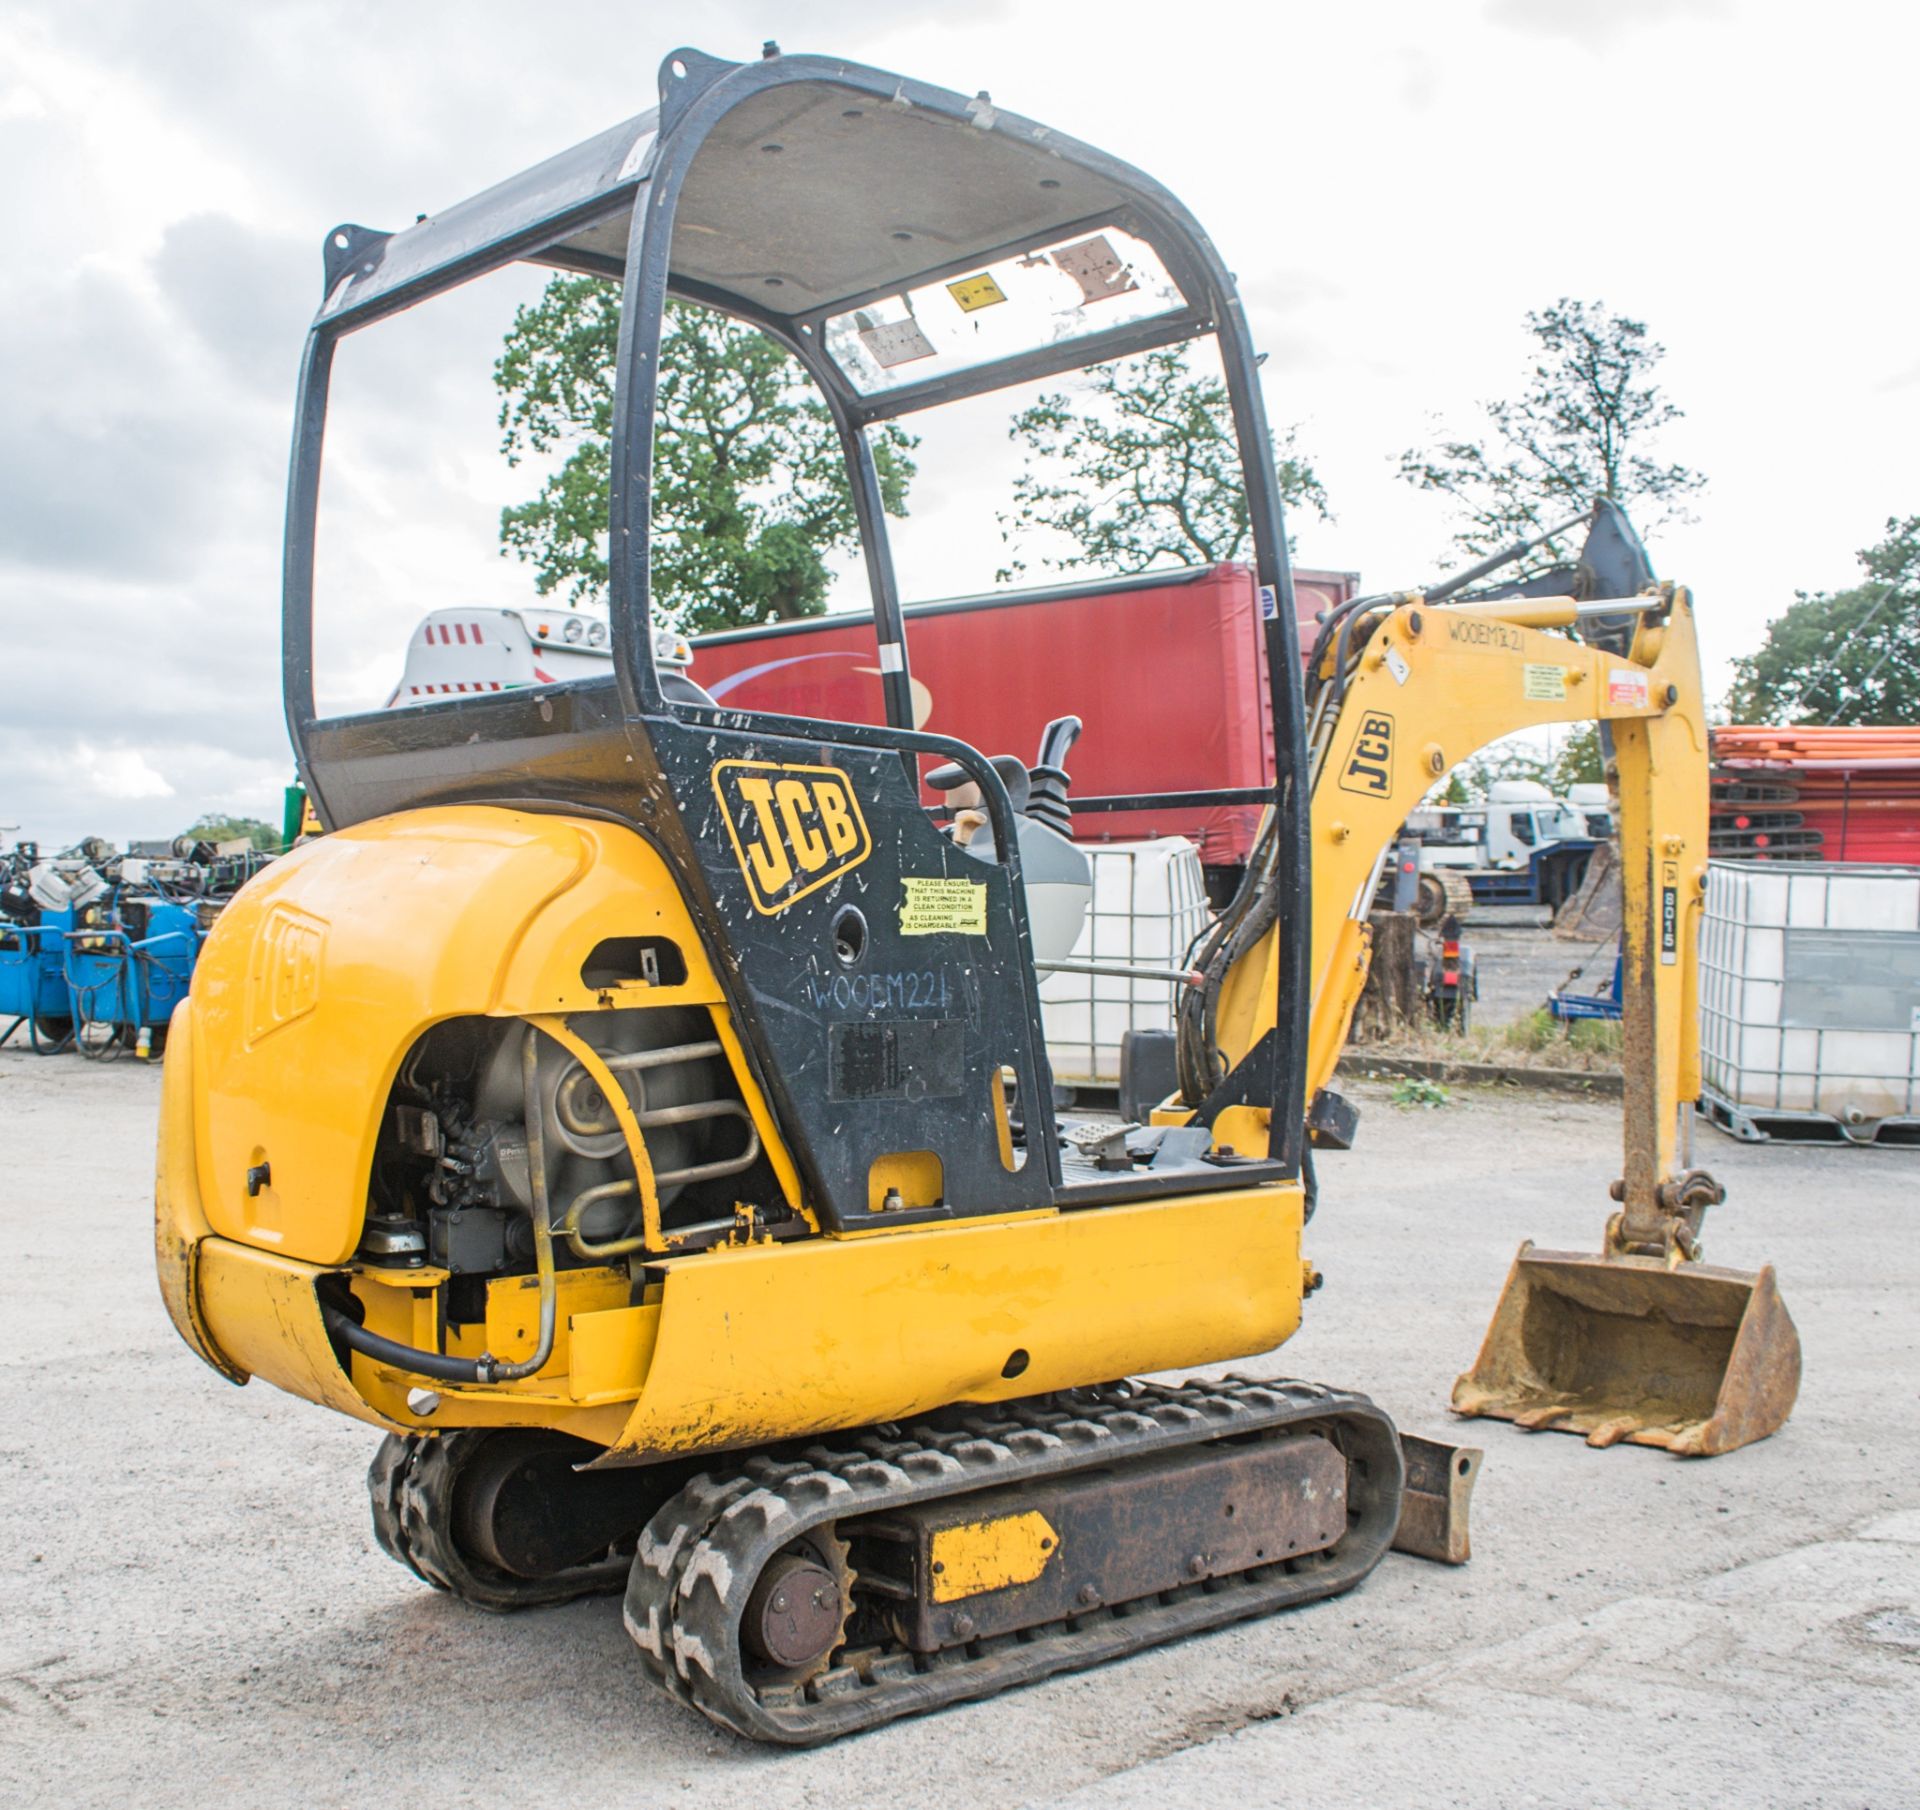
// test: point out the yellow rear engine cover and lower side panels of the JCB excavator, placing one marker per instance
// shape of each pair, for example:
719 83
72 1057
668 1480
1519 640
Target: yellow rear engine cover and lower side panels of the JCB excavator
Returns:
746 1345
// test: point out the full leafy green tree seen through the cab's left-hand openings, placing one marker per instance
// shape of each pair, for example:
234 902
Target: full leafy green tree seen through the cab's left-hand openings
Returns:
750 487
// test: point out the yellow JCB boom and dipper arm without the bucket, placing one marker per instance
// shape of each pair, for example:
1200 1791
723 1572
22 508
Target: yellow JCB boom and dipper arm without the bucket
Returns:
1433 686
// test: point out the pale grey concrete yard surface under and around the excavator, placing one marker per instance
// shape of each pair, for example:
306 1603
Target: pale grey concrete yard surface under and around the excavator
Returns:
193 1611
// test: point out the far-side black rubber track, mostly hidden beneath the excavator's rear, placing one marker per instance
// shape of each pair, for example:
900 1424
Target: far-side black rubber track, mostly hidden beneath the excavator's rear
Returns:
412 1481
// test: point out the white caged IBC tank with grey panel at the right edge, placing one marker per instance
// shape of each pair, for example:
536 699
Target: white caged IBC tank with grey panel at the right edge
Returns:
1812 989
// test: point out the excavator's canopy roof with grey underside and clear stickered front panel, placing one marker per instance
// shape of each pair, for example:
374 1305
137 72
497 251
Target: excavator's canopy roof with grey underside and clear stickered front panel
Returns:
923 245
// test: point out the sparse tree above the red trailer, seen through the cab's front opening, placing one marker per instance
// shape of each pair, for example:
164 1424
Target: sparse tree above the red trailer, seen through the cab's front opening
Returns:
1140 469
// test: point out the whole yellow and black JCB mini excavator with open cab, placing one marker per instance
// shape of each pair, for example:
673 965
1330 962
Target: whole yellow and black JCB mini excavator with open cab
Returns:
638 1108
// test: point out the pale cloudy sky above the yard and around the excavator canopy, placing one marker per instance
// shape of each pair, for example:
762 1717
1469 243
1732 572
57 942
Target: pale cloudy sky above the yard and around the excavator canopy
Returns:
1393 183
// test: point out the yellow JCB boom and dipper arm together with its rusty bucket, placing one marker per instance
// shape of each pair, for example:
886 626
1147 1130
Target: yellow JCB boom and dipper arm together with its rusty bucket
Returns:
1639 1343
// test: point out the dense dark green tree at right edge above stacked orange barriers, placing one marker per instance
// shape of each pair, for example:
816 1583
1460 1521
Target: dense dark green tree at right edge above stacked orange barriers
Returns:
1842 657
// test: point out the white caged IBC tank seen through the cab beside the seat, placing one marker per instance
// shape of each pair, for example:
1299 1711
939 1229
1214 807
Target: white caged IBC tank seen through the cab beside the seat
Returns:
1149 903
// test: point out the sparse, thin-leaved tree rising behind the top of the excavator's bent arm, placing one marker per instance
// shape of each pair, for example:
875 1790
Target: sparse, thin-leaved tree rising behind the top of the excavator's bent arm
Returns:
1577 431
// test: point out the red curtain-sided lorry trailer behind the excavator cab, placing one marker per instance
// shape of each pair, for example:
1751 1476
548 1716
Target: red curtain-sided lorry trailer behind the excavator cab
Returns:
996 671
